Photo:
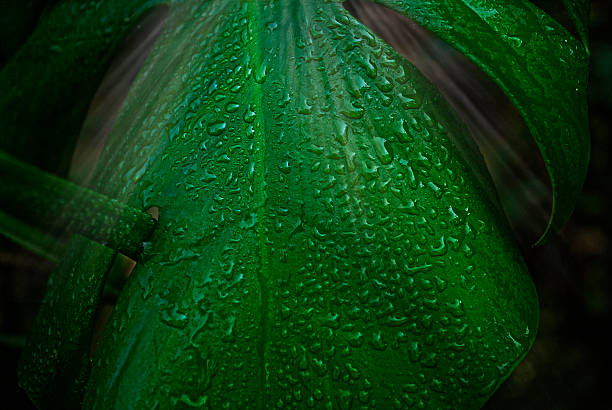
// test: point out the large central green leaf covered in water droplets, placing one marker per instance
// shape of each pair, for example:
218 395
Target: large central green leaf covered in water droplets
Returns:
321 241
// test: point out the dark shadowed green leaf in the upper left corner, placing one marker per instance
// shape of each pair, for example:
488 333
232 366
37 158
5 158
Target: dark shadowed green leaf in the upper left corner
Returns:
48 84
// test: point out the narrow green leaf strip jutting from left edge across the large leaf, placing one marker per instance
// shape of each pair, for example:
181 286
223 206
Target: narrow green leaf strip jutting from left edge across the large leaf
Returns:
58 206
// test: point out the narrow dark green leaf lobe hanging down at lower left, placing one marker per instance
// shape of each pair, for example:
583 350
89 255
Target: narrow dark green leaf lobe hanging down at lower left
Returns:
54 365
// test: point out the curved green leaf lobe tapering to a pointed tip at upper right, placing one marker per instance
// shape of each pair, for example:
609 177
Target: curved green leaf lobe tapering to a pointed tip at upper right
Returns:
539 65
